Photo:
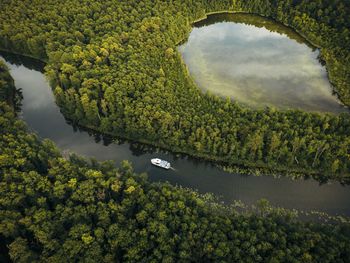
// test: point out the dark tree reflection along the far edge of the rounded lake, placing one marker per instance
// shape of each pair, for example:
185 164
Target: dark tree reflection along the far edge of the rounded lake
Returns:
256 21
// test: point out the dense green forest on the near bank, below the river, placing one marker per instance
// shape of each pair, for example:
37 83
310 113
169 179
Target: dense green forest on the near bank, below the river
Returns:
69 209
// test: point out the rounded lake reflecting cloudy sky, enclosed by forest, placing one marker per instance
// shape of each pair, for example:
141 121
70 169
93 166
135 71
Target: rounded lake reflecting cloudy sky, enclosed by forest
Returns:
259 63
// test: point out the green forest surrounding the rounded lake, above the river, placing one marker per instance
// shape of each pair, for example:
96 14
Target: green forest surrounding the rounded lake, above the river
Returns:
114 67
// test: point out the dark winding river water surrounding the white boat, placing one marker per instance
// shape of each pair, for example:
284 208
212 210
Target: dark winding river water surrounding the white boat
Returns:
43 116
